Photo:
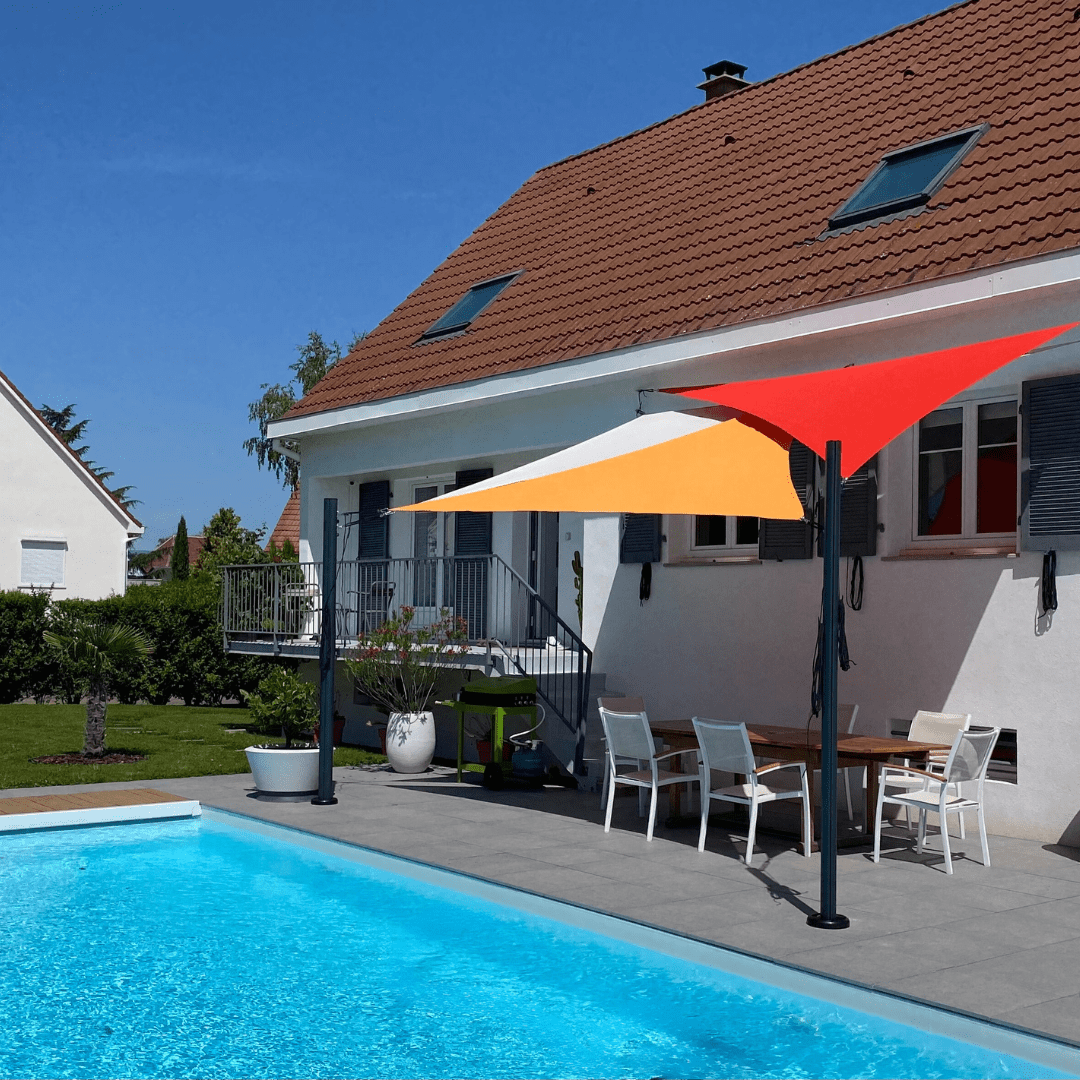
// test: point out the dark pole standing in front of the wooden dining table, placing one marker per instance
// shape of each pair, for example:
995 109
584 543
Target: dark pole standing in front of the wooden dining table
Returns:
827 919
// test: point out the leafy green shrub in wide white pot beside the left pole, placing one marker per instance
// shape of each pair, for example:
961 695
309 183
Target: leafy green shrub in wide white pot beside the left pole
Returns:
285 705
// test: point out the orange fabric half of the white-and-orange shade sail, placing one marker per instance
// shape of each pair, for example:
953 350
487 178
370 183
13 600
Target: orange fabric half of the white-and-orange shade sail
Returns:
726 469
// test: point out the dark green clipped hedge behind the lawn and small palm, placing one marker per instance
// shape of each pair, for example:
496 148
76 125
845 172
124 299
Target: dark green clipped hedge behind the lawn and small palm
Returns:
181 619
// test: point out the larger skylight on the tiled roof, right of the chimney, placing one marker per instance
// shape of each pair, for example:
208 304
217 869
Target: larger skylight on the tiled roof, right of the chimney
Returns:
907 179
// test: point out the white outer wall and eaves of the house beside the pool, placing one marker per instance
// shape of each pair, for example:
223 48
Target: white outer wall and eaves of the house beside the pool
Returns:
953 632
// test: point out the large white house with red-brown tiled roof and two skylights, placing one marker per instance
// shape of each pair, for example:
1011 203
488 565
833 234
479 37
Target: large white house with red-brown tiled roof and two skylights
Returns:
741 240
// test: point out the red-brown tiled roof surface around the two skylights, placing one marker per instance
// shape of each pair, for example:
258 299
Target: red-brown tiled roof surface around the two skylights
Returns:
718 217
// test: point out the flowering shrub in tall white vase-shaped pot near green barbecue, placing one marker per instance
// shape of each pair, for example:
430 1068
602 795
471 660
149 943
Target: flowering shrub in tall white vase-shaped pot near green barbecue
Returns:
398 667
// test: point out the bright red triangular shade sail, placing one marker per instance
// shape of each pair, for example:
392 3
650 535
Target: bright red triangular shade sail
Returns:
868 407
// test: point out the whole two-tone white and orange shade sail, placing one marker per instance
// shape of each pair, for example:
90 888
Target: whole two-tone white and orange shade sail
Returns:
664 464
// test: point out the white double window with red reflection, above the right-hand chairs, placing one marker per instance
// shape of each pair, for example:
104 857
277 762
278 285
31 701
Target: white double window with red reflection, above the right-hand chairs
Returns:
966 472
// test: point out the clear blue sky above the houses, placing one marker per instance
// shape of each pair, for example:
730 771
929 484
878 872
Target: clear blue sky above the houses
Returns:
190 190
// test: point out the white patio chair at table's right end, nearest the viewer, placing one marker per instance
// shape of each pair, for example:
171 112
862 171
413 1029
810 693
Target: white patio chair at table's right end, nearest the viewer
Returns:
967 761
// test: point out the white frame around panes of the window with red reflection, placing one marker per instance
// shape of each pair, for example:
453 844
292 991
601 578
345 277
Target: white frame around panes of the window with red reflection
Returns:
969 474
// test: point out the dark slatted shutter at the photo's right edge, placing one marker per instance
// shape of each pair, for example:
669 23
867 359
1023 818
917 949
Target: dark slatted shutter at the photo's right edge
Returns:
1050 464
